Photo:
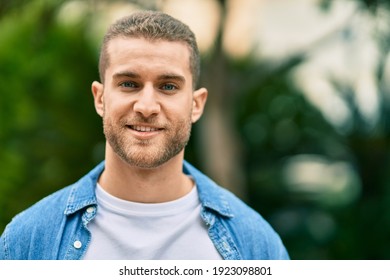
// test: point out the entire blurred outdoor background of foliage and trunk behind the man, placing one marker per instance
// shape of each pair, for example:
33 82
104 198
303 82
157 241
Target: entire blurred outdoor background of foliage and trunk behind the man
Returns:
297 121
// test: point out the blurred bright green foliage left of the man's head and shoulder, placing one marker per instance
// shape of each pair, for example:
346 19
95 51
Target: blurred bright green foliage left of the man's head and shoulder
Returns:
49 132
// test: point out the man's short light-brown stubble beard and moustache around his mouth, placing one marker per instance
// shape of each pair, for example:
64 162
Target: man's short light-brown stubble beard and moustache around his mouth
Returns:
149 153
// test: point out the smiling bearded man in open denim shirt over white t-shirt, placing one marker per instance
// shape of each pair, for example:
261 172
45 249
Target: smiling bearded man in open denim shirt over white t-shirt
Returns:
144 201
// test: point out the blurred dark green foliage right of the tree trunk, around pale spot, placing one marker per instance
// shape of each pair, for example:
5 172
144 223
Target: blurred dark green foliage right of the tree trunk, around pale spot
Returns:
278 124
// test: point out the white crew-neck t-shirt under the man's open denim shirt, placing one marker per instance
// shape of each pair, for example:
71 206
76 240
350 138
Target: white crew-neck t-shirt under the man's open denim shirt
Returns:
139 231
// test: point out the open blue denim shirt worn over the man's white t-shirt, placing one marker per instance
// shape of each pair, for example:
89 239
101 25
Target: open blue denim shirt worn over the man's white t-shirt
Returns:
57 226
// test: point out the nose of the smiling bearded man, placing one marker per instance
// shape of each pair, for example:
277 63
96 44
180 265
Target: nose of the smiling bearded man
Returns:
146 103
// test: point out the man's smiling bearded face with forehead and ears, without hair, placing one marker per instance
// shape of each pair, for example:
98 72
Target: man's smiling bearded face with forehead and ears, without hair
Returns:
147 102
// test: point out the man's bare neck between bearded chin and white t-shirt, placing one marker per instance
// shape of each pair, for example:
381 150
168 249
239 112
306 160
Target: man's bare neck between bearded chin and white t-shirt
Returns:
145 185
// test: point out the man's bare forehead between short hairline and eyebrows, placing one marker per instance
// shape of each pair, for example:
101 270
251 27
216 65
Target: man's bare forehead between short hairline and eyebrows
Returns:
152 55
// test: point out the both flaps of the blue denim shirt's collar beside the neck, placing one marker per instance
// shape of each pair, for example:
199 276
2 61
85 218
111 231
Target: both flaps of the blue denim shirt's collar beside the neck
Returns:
210 195
